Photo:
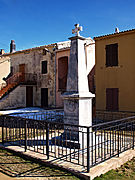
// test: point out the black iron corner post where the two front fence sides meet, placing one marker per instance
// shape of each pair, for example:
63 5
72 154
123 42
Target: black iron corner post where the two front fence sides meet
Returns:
88 149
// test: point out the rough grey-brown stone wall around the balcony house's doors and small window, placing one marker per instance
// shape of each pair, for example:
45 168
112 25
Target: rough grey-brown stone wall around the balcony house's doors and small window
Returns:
33 64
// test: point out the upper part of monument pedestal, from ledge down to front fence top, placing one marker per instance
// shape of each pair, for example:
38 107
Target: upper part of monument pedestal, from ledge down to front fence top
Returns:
78 108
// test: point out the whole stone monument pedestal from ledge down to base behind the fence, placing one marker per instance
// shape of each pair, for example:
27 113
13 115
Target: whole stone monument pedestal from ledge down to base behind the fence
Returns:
78 113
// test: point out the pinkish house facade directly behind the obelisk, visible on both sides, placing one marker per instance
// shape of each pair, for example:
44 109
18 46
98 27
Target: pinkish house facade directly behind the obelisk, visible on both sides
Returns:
62 60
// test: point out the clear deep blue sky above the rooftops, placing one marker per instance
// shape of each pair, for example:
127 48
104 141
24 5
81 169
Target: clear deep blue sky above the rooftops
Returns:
38 22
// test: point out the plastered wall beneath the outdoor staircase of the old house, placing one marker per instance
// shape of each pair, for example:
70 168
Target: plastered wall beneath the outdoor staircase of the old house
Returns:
14 99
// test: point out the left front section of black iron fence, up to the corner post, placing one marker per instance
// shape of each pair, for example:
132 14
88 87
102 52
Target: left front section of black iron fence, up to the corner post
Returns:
57 140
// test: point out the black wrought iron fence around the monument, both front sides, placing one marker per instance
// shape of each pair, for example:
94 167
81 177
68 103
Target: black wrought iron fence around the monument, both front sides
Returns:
85 146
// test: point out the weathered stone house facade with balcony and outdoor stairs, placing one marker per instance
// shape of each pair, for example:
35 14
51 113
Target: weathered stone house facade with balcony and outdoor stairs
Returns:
36 66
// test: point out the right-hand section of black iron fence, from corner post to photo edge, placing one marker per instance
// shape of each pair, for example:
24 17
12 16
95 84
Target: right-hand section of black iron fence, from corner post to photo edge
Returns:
111 138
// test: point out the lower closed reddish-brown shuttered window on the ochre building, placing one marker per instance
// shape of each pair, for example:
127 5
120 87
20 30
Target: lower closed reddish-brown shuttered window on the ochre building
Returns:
112 99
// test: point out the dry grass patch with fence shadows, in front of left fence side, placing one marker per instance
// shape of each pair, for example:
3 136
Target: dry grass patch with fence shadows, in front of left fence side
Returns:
16 166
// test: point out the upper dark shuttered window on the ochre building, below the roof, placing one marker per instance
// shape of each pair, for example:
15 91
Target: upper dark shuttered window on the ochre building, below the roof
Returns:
112 55
